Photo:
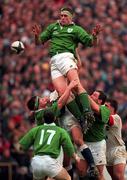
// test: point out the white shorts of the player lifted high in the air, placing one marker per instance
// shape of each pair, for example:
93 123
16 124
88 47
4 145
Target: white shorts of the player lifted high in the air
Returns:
62 63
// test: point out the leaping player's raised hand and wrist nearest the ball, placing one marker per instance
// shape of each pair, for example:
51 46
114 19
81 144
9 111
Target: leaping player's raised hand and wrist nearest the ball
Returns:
36 29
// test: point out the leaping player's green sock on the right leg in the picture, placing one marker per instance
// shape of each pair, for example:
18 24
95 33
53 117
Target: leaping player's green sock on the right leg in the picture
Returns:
84 101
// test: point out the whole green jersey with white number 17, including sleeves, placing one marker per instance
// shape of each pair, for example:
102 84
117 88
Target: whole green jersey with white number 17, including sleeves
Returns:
47 140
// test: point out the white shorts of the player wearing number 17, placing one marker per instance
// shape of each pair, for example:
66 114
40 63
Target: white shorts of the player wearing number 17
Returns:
43 166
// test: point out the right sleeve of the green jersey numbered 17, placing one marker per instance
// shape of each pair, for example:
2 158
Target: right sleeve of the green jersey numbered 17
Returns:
67 143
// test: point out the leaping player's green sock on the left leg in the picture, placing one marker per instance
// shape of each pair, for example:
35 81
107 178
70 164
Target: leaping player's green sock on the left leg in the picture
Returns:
74 109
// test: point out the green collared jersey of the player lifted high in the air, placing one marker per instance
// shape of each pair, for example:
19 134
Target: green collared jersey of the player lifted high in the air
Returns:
65 38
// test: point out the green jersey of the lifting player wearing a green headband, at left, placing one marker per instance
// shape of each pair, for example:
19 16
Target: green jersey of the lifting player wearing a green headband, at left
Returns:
39 113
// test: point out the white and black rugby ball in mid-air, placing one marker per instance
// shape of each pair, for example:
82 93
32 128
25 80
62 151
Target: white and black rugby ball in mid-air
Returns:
18 47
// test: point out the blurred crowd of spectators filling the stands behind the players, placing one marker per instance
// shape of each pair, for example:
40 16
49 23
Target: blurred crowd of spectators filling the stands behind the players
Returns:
22 76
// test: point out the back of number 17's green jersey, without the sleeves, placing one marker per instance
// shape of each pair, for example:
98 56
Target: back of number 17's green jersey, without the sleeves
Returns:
47 140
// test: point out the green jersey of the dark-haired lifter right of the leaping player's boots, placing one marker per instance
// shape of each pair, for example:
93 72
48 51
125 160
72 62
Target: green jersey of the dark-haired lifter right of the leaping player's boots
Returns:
97 131
